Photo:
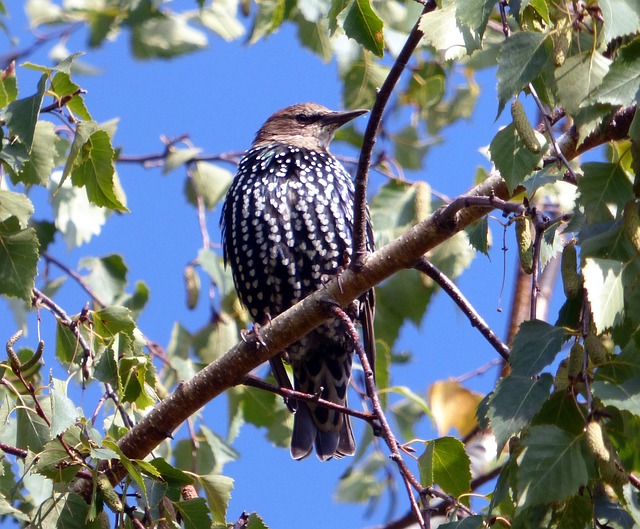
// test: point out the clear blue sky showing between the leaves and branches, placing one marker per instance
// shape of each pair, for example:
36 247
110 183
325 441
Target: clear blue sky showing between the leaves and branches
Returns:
220 97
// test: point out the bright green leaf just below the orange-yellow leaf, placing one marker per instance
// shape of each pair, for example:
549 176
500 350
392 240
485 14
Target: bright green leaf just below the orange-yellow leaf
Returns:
446 464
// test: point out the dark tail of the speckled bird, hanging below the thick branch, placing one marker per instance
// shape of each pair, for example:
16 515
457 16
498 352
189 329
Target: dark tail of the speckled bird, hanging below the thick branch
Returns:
324 372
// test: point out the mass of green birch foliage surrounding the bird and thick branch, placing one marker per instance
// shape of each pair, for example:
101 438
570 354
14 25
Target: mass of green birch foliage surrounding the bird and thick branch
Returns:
580 60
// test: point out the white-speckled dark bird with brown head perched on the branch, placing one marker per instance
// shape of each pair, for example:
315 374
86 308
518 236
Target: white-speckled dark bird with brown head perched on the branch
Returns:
287 228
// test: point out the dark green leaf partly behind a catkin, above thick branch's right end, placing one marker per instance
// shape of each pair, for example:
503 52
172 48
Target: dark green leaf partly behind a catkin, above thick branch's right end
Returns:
512 158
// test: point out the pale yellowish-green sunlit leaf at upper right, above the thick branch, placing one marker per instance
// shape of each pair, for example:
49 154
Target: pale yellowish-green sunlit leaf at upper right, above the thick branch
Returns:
578 77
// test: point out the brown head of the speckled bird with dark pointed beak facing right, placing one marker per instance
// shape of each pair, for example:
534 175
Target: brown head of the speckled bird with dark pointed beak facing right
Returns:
305 125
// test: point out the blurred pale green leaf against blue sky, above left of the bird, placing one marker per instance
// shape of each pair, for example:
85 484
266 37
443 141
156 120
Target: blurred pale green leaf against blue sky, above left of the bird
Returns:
166 37
